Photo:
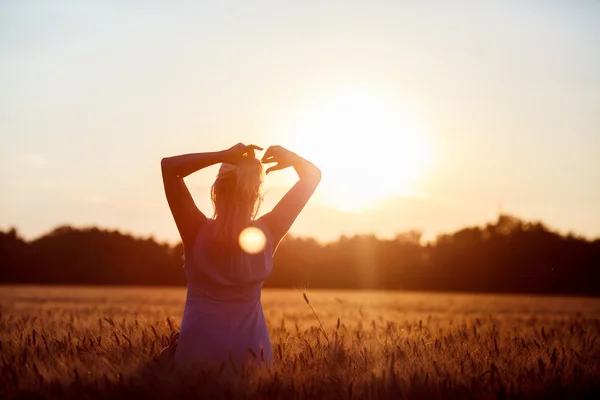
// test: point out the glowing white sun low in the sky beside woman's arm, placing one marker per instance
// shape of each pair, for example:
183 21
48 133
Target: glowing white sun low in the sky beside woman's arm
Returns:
367 147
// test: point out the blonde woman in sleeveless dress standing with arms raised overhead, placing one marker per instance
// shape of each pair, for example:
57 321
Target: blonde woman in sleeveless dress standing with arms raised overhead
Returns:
223 318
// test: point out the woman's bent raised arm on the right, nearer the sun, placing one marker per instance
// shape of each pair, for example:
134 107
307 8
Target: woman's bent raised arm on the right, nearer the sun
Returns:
283 215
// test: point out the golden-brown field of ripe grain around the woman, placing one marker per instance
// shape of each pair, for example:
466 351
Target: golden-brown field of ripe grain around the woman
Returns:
104 343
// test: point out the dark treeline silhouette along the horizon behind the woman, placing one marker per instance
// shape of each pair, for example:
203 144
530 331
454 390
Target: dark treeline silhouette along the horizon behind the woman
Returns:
507 256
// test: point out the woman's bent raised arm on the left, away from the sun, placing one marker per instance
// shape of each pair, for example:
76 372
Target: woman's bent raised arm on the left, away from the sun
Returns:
187 216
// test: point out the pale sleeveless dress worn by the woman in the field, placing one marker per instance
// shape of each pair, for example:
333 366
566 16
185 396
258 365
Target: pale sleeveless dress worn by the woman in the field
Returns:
223 319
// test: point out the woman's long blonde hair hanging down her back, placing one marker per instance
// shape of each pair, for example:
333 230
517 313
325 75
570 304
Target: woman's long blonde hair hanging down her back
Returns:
236 197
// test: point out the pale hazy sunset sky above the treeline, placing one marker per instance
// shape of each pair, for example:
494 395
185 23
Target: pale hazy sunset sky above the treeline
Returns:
429 115
